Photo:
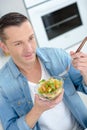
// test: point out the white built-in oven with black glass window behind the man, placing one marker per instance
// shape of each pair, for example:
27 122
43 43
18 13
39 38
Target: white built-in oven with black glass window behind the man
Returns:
59 23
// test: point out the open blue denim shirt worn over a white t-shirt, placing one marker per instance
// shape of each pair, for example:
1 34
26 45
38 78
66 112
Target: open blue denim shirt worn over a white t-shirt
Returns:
15 99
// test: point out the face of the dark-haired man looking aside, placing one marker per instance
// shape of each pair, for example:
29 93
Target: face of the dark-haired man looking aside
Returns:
21 43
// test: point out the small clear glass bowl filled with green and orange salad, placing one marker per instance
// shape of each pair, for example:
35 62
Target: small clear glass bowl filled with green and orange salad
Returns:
50 88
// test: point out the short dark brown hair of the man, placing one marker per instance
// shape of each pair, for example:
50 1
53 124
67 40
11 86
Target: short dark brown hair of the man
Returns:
10 19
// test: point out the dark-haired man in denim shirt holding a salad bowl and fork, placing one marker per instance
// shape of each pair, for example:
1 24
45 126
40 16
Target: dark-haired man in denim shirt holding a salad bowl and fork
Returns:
20 107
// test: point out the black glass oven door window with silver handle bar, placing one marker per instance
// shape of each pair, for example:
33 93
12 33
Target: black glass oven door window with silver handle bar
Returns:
61 21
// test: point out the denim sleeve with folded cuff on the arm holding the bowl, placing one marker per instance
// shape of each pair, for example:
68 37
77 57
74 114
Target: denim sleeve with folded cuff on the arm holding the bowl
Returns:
10 121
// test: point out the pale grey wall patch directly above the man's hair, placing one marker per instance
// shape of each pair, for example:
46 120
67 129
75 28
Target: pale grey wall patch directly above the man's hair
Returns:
11 6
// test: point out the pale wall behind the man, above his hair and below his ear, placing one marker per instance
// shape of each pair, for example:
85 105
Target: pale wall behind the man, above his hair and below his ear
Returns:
7 6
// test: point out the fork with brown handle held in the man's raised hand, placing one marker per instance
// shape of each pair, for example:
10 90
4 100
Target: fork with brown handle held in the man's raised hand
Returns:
78 50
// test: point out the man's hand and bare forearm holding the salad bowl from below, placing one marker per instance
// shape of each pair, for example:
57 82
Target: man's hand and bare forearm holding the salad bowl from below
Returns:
39 107
